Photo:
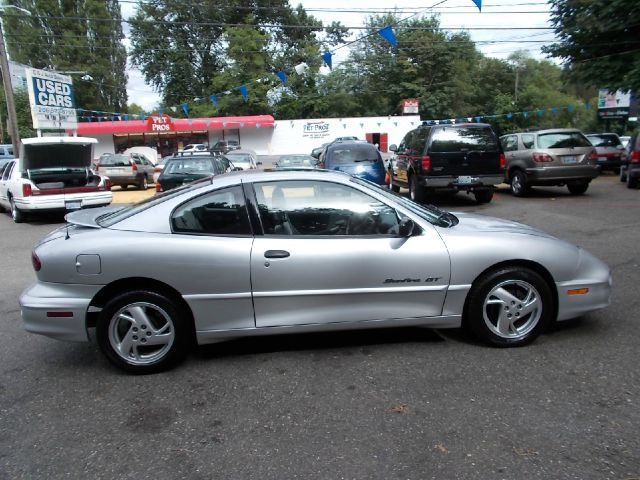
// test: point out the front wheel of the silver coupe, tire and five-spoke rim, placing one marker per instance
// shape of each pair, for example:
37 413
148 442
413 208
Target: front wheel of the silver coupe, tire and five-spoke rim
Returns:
497 300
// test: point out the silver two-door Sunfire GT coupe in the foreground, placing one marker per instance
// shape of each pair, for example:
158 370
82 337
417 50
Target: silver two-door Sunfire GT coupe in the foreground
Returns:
270 252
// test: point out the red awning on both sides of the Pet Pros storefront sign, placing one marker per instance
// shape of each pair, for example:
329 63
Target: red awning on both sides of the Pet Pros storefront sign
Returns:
179 124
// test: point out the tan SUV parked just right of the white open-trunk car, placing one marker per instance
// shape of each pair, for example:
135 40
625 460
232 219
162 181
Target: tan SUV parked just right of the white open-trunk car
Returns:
126 169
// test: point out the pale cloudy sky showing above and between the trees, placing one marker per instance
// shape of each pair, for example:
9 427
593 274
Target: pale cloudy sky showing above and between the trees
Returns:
502 27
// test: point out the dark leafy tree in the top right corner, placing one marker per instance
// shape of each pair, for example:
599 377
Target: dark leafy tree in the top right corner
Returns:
599 40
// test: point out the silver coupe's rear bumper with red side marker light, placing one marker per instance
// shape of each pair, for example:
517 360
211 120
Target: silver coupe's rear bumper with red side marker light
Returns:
57 310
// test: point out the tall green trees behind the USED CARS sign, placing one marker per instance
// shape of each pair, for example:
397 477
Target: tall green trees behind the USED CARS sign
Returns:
74 35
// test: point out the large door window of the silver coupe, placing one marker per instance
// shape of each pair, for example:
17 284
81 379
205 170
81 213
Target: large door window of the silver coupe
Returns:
316 208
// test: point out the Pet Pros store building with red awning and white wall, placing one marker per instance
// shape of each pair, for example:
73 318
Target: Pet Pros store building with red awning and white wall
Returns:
261 133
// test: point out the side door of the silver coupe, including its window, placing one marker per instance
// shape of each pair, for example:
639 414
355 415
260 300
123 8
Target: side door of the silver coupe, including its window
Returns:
331 253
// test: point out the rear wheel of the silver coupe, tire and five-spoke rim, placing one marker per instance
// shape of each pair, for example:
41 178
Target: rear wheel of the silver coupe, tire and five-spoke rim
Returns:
143 332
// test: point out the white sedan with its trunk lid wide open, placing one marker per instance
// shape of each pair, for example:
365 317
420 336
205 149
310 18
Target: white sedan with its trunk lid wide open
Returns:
52 174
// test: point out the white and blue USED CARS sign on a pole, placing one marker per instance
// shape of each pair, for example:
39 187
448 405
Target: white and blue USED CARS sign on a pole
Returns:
53 104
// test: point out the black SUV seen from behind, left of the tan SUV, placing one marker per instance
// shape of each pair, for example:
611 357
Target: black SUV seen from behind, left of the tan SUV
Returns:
448 157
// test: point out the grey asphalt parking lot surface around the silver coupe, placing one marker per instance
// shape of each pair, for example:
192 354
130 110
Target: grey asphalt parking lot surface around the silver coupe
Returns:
397 404
